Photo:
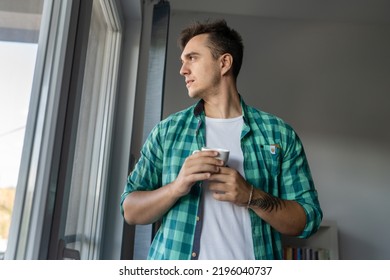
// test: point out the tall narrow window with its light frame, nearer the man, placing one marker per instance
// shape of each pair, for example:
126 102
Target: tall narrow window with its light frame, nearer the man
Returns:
93 141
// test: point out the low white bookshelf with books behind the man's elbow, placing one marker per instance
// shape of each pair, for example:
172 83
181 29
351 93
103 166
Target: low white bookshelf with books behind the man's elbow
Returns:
322 245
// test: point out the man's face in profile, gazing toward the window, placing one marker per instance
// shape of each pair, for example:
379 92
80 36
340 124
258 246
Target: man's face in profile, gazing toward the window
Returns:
201 71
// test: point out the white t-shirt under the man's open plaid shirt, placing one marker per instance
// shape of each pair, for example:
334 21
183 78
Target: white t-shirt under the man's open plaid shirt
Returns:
226 231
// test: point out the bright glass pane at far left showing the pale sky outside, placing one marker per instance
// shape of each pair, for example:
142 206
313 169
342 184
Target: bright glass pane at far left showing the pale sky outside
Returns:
19 30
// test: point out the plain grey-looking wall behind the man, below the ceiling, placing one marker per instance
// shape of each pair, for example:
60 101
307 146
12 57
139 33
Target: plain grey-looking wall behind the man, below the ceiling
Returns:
331 82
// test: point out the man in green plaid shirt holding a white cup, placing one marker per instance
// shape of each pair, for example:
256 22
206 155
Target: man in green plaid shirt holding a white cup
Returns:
210 209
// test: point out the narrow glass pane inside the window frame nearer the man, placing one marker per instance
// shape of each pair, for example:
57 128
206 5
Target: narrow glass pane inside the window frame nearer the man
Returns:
86 192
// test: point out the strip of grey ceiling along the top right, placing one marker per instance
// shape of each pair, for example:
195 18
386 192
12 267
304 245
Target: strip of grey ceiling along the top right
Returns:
333 10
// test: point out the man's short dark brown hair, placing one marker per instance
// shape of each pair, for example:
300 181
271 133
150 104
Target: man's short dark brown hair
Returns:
222 39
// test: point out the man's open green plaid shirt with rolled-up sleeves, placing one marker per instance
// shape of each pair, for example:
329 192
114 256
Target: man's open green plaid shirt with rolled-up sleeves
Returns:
274 161
